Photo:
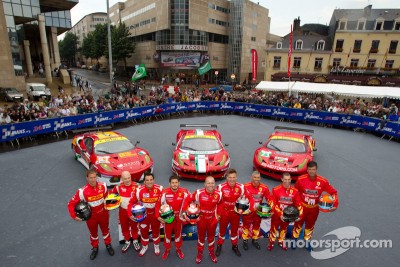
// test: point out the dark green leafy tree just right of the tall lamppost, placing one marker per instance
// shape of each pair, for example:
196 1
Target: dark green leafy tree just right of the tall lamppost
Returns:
122 44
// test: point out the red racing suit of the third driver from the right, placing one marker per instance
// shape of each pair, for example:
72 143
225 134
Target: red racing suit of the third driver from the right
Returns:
257 194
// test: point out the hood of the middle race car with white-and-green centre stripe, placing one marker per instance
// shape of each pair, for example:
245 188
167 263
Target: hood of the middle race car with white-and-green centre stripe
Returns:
201 160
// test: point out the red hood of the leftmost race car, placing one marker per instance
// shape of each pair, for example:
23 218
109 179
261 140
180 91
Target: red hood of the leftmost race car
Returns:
129 160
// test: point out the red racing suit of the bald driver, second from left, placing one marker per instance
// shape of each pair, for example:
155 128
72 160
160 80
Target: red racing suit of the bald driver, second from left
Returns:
129 228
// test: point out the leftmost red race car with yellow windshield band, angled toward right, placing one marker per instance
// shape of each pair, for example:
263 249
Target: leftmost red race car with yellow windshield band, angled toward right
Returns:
110 153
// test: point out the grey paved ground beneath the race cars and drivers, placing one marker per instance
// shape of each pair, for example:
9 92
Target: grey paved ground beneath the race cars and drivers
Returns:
37 182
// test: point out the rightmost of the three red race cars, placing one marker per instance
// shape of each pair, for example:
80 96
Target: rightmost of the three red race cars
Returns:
286 150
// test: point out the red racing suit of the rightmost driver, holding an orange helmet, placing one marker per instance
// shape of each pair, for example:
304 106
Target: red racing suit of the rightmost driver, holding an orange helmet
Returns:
310 192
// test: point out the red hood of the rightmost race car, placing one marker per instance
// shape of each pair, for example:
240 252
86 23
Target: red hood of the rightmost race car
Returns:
282 158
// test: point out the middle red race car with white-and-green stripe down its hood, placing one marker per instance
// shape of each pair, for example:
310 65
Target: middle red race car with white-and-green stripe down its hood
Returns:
199 153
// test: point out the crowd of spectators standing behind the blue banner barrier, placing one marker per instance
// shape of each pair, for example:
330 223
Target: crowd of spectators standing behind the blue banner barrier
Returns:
129 95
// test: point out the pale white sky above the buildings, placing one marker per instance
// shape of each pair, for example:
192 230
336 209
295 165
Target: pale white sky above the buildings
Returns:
309 11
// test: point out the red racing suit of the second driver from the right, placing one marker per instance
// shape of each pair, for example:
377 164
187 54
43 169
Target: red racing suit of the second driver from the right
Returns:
281 198
